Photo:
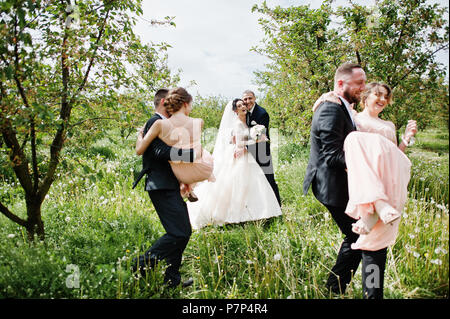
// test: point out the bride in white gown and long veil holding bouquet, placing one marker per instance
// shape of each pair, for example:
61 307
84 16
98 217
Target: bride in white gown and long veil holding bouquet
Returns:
241 191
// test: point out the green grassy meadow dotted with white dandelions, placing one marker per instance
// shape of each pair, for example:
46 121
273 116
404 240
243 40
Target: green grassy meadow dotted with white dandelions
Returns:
95 224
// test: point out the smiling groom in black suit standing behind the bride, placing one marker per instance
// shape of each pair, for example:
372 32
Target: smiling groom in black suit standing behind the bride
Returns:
260 151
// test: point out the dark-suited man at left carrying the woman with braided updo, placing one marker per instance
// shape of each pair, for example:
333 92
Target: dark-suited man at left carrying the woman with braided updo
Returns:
164 191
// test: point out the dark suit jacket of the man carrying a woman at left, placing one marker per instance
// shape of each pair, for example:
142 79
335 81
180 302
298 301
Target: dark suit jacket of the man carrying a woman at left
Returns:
155 162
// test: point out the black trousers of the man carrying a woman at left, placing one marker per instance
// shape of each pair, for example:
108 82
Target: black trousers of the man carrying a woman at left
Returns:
173 213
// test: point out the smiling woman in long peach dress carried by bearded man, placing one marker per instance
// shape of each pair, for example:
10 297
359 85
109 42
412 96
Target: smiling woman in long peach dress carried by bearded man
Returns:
378 172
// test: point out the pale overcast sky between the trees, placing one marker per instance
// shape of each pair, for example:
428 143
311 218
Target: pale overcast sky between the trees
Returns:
212 40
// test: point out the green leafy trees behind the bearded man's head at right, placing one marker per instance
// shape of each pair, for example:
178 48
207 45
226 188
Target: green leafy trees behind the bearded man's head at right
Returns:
394 41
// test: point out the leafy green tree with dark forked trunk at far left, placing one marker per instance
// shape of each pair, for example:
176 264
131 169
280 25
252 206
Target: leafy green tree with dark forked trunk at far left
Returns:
68 73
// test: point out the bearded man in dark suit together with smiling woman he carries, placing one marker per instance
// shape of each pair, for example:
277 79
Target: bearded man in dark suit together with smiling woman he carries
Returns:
375 190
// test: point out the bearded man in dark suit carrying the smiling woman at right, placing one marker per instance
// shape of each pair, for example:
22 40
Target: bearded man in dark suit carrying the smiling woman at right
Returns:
326 171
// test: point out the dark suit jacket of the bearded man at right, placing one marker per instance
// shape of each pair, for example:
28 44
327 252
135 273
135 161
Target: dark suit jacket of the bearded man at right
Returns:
326 168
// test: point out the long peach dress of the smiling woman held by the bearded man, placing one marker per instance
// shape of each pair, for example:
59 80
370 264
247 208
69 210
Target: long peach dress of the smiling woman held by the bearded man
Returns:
377 169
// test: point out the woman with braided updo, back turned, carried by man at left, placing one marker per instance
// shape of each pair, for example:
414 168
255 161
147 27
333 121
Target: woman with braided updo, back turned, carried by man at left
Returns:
183 132
